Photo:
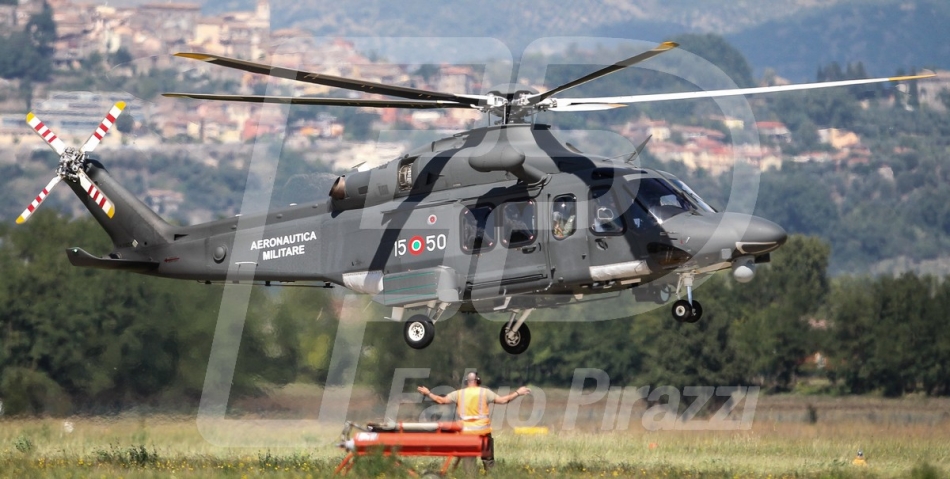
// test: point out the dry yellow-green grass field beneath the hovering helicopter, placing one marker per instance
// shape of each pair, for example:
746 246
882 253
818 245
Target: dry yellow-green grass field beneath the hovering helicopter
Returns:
790 437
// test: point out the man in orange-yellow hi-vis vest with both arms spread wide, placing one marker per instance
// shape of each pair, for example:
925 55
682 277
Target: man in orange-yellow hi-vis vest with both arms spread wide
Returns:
472 403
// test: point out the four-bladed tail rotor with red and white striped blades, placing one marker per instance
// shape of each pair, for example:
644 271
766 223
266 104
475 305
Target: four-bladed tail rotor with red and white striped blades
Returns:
72 162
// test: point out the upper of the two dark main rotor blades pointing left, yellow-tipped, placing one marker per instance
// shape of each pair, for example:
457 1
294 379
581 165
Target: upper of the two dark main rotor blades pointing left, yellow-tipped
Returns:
333 81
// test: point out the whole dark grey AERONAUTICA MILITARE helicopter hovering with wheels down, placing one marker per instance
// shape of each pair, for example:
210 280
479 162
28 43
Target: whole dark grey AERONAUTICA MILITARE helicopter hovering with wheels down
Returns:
503 218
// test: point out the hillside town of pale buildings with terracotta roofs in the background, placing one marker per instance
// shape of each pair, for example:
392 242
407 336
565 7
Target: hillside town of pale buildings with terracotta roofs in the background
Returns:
141 39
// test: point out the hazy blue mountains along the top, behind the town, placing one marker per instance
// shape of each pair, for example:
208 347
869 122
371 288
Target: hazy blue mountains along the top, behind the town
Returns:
792 37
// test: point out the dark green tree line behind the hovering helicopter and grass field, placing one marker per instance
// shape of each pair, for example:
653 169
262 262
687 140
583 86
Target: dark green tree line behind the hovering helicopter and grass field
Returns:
81 340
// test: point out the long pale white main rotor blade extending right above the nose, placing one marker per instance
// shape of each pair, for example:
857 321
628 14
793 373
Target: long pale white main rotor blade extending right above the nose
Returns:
575 104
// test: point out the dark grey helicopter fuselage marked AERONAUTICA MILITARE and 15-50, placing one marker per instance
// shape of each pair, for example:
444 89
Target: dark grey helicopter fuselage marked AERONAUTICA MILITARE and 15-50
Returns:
492 213
